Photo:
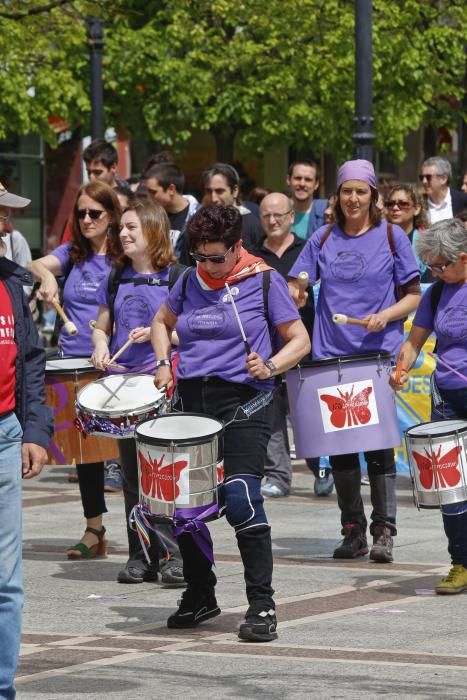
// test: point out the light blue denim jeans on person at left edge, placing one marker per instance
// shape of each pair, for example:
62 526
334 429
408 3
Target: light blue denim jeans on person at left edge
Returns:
11 579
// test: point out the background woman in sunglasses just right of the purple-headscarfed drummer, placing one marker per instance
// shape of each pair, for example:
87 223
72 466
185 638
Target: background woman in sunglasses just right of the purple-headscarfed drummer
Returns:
405 208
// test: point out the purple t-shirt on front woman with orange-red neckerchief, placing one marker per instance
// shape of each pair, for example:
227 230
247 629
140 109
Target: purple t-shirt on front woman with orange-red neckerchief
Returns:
210 339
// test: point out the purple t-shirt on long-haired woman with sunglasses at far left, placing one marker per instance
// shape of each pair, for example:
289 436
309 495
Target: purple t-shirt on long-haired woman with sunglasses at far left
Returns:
79 299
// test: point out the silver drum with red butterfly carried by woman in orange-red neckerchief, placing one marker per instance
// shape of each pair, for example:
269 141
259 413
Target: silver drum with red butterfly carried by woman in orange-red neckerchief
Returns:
180 462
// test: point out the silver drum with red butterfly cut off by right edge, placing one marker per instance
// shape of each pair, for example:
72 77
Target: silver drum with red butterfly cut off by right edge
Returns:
438 464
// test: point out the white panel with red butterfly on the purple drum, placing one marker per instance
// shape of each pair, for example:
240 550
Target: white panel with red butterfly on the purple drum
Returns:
348 406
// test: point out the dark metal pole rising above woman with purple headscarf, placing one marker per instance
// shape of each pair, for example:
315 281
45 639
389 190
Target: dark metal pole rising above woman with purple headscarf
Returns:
363 135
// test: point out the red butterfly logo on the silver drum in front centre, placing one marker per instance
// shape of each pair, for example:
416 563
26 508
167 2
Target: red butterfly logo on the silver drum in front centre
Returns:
163 482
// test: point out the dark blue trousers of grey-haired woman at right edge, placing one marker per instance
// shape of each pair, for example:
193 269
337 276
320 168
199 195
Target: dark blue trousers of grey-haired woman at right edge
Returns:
447 404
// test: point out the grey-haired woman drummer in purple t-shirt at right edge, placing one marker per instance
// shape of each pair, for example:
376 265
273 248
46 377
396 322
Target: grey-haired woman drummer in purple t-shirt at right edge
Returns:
443 248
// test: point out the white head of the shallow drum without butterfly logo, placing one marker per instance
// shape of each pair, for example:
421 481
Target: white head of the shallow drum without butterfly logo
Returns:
120 394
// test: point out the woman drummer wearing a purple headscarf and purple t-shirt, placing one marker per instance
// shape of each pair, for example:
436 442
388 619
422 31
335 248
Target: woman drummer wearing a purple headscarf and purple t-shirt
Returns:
362 265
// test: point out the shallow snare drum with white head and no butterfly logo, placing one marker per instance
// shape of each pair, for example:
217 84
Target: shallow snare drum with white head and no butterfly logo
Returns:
111 407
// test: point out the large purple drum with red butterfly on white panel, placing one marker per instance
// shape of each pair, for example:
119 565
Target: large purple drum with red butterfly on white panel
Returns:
343 405
